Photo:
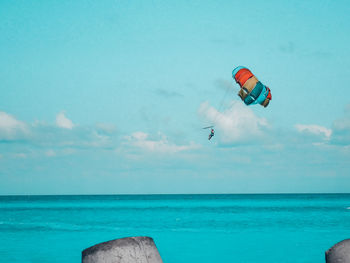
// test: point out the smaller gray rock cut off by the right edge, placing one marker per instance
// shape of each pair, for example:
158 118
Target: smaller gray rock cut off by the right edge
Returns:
339 253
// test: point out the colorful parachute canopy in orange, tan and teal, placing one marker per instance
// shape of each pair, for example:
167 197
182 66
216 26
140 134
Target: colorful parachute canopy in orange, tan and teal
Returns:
252 90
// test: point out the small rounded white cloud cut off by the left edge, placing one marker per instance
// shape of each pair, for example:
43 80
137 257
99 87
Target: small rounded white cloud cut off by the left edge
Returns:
11 128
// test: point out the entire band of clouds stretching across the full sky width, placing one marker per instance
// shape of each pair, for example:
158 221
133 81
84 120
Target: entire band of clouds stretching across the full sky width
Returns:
235 127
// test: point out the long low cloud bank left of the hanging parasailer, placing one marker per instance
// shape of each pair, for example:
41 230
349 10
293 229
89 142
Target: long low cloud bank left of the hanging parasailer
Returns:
63 135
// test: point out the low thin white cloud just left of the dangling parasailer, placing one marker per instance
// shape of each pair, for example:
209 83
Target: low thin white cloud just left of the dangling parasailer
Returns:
142 141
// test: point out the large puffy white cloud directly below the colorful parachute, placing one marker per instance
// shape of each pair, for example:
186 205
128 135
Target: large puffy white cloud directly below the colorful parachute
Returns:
236 124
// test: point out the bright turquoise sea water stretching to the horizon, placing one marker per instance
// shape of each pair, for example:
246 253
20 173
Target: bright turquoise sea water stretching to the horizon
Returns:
185 228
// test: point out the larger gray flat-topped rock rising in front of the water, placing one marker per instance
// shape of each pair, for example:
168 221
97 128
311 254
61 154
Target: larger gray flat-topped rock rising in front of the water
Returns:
124 250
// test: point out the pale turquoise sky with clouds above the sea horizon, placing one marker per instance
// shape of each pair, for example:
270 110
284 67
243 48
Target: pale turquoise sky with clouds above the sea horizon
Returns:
110 97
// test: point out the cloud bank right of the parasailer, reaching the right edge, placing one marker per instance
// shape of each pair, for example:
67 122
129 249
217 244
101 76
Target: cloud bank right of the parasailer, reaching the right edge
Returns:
239 125
